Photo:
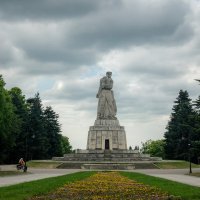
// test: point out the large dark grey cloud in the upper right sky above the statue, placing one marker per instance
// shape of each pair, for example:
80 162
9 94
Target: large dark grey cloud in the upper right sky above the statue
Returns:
132 25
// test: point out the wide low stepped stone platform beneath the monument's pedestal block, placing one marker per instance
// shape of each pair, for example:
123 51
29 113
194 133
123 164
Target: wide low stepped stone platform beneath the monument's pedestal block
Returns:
107 159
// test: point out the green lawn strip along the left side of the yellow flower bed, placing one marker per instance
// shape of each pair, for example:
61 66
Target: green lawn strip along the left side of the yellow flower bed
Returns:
26 190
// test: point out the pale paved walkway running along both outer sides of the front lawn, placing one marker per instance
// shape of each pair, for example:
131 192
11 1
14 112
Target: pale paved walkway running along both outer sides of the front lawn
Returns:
178 175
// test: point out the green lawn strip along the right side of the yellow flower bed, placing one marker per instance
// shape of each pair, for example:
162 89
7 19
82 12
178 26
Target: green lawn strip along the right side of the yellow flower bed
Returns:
187 192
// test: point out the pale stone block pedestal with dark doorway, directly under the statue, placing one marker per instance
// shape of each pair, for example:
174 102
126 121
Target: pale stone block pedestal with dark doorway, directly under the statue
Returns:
106 135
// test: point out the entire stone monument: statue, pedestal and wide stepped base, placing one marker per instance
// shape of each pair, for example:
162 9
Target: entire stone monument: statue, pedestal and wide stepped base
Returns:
106 142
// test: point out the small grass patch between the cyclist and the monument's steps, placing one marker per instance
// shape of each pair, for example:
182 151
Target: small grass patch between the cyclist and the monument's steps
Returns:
43 164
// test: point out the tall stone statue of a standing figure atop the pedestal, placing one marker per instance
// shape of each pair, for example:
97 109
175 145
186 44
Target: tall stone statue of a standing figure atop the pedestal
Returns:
107 108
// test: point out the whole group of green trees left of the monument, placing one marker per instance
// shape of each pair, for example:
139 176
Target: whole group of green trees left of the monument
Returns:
27 129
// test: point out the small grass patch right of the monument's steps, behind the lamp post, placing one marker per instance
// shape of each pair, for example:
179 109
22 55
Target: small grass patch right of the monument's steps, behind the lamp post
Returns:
175 165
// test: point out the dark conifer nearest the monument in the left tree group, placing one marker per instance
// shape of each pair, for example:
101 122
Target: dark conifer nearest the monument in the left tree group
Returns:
53 129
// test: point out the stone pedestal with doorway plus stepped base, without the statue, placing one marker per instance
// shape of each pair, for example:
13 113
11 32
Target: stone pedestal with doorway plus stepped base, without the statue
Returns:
107 149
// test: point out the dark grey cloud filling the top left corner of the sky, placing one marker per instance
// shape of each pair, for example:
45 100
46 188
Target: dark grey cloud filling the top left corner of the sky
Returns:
45 9
